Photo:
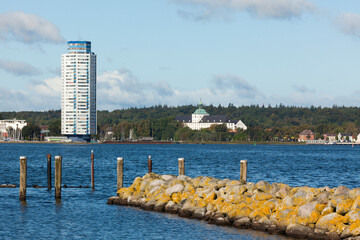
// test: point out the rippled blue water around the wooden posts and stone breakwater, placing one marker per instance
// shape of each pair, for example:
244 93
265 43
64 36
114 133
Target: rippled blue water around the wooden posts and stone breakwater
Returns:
82 213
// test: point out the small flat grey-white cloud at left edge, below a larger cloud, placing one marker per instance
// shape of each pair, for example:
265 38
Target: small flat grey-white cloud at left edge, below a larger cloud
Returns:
19 68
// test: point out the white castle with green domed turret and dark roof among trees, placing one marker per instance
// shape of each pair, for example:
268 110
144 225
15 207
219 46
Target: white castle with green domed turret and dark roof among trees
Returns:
201 119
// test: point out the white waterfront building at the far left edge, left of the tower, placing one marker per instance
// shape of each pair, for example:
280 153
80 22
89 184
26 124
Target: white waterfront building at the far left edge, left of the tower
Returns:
11 128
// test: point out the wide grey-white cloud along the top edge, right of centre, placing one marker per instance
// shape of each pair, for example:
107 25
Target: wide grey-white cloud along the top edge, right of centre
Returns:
278 9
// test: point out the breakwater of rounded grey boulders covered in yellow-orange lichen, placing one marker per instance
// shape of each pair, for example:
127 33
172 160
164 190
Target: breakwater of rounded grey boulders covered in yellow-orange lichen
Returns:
304 212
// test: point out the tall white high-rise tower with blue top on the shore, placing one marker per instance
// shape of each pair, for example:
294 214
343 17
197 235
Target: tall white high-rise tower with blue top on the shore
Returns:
78 91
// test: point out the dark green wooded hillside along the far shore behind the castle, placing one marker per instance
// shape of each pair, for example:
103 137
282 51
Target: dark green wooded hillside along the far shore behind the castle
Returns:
265 123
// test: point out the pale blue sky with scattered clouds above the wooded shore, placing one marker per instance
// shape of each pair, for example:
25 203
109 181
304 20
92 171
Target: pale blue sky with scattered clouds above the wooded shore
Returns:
176 52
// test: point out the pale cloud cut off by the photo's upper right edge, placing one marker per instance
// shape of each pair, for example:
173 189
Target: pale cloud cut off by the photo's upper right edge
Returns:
349 23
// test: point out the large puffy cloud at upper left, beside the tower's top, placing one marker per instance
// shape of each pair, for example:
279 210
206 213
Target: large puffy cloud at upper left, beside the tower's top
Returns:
28 28
